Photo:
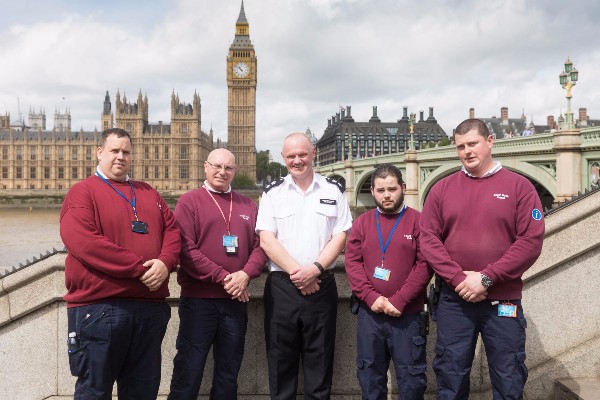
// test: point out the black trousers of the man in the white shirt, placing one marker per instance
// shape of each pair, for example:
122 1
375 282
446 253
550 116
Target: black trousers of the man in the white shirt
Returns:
298 326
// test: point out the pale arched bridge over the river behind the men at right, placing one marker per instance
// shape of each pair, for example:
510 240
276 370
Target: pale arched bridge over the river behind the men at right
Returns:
560 164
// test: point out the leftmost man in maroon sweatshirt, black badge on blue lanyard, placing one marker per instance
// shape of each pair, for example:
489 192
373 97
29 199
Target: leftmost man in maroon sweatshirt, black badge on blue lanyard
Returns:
122 243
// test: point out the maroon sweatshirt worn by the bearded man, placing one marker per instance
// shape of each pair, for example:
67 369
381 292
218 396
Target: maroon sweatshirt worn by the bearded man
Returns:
409 273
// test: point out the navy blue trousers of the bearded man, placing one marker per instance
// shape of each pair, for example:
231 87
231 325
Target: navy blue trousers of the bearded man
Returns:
381 338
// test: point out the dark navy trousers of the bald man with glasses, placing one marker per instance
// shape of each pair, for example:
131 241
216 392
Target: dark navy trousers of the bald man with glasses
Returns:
205 323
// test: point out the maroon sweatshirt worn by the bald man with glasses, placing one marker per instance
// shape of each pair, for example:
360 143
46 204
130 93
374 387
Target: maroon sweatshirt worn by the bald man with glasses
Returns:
204 263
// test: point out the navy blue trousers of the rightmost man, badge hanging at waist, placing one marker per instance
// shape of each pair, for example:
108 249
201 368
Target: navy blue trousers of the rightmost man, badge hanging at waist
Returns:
458 326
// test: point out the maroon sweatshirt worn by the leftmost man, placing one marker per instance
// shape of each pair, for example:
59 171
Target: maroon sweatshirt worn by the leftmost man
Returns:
105 257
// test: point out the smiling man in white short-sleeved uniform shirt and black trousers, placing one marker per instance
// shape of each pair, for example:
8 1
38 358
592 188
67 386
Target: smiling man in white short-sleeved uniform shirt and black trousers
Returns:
302 221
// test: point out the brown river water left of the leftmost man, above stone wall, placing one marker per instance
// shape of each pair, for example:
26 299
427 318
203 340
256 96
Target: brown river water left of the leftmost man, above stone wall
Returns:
25 234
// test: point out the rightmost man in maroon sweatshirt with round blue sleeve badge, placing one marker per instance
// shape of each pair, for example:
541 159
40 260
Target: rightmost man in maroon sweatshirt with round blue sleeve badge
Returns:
481 229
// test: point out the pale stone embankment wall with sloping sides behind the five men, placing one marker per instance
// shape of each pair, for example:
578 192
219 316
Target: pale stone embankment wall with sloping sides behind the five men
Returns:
562 310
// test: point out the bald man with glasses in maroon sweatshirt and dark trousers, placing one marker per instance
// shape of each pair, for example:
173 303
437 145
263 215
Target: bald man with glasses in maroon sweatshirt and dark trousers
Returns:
220 253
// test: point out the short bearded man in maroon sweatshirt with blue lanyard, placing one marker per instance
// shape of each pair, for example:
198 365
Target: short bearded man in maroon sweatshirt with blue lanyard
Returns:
388 274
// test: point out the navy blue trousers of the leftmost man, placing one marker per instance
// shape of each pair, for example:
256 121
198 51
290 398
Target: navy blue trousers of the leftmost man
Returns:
118 340
